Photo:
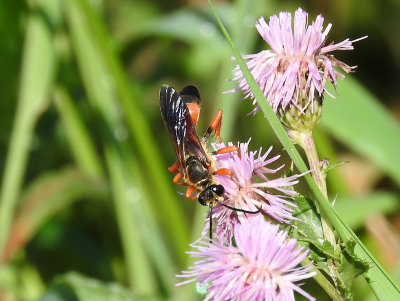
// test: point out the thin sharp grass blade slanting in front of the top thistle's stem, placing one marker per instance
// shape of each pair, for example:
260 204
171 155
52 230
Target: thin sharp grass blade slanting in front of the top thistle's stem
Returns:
380 282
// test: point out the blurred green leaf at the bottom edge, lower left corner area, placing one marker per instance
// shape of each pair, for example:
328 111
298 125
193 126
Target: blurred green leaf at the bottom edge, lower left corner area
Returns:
75 287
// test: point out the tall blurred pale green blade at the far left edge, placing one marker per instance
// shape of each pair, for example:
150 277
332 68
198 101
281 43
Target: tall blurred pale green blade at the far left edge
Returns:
33 98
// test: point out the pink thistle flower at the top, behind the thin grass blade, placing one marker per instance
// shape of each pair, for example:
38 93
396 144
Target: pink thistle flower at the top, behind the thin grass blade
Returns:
299 63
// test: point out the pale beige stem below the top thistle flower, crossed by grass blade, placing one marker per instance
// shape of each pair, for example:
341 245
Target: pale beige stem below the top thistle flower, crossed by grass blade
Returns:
305 140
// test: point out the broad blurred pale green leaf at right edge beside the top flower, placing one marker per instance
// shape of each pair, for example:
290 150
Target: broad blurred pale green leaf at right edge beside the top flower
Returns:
357 119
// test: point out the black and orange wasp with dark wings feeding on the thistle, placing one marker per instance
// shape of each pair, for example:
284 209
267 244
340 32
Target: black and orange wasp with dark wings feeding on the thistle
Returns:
195 166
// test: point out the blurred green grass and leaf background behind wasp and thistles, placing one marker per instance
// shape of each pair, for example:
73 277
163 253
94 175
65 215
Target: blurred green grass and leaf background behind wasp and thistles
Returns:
88 210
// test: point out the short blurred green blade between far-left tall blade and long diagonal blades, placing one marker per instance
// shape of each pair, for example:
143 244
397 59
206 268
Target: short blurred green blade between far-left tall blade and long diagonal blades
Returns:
81 145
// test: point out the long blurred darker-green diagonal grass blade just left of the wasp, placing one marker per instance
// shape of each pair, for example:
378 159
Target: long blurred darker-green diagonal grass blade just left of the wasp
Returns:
168 209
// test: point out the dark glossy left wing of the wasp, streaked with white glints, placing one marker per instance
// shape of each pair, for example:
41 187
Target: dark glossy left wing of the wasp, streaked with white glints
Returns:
179 124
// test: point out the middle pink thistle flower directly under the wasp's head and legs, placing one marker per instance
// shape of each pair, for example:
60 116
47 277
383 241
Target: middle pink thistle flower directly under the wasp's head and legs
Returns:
250 189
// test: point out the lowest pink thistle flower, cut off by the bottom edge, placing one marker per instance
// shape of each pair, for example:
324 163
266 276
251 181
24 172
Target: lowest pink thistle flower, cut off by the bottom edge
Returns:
262 265
